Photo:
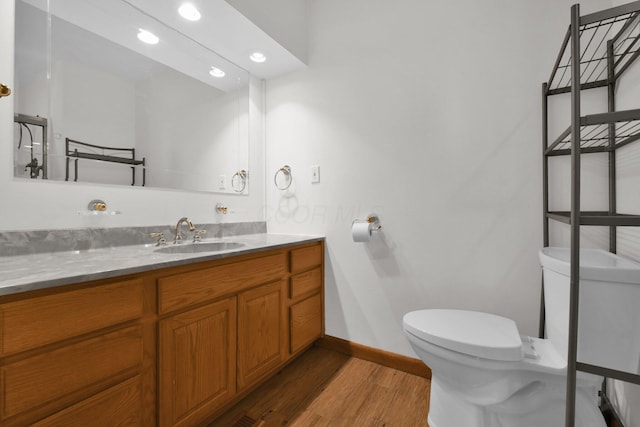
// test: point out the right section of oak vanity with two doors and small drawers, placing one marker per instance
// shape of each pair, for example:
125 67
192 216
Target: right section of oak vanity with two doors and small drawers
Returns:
205 368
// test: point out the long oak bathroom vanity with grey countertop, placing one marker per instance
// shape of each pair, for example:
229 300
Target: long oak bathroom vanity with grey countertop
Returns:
169 341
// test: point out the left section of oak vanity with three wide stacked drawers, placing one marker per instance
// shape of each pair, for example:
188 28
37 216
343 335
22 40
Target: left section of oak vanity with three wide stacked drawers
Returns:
74 352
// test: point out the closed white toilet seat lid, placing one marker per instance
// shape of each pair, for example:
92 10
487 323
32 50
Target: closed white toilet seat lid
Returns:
469 332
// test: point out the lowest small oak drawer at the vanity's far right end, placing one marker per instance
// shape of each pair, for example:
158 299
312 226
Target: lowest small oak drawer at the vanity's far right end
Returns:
306 322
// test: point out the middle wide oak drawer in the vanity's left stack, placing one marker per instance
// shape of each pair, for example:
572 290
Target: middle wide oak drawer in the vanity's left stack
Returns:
49 376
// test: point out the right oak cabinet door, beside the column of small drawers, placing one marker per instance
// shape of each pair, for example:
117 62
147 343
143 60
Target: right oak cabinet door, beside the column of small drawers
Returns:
261 332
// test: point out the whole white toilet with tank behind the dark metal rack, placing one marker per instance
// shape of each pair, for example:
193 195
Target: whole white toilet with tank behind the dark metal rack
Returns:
485 374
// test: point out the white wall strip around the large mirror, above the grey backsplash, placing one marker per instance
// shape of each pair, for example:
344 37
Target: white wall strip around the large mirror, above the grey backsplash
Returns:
41 205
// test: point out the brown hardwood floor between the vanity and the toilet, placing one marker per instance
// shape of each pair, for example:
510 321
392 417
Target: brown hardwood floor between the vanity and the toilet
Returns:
324 388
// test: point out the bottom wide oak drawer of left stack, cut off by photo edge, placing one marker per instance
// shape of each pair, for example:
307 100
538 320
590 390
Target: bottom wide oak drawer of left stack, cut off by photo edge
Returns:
120 405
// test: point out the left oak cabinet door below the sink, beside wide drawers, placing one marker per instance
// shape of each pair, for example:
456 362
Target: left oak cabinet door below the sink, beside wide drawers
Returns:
197 363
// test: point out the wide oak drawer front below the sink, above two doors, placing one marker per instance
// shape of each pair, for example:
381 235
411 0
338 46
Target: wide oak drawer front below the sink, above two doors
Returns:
183 290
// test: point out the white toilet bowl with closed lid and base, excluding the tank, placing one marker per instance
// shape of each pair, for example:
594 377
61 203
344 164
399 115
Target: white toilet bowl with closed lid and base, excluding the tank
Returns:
484 374
